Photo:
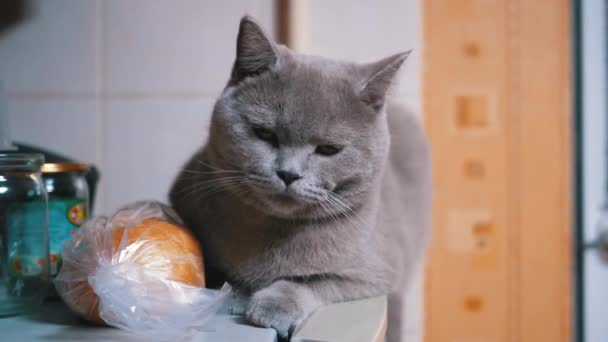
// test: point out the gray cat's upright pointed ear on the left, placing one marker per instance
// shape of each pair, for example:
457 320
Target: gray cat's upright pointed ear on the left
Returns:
255 52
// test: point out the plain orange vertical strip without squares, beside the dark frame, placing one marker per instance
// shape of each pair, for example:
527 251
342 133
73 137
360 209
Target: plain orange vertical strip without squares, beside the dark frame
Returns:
546 170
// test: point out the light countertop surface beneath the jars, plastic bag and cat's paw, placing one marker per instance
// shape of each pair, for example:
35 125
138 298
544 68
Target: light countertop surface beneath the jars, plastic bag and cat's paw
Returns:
356 321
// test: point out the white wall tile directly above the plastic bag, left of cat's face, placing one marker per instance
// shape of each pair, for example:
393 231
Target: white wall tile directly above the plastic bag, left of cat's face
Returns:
146 143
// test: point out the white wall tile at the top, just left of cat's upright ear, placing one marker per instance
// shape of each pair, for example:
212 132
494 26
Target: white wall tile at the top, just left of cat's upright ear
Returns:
173 47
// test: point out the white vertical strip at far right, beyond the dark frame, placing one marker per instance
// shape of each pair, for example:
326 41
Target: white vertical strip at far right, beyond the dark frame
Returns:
594 159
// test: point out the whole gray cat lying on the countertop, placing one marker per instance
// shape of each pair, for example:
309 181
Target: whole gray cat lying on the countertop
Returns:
309 190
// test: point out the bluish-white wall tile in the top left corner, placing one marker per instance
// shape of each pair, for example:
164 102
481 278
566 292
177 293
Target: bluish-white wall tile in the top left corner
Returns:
52 52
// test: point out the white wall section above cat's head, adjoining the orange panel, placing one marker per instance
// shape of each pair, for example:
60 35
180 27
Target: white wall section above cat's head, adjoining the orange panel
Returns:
365 31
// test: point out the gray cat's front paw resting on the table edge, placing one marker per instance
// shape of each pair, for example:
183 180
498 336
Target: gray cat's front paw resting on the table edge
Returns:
270 308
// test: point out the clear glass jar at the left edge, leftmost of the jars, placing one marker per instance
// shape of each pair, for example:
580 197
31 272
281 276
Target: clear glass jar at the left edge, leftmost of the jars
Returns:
24 247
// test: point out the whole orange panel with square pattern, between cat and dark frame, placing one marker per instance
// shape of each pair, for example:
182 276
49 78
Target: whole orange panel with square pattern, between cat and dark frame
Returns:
497 111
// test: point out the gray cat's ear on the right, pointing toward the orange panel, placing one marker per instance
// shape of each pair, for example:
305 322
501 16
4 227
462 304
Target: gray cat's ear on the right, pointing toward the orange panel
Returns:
379 77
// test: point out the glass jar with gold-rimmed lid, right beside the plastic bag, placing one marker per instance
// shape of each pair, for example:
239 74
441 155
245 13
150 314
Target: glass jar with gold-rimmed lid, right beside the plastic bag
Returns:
68 205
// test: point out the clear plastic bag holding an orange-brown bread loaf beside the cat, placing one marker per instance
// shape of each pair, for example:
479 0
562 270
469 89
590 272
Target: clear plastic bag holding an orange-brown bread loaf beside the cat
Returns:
140 271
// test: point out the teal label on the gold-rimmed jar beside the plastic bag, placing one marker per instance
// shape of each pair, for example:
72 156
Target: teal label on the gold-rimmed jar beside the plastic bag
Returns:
65 218
